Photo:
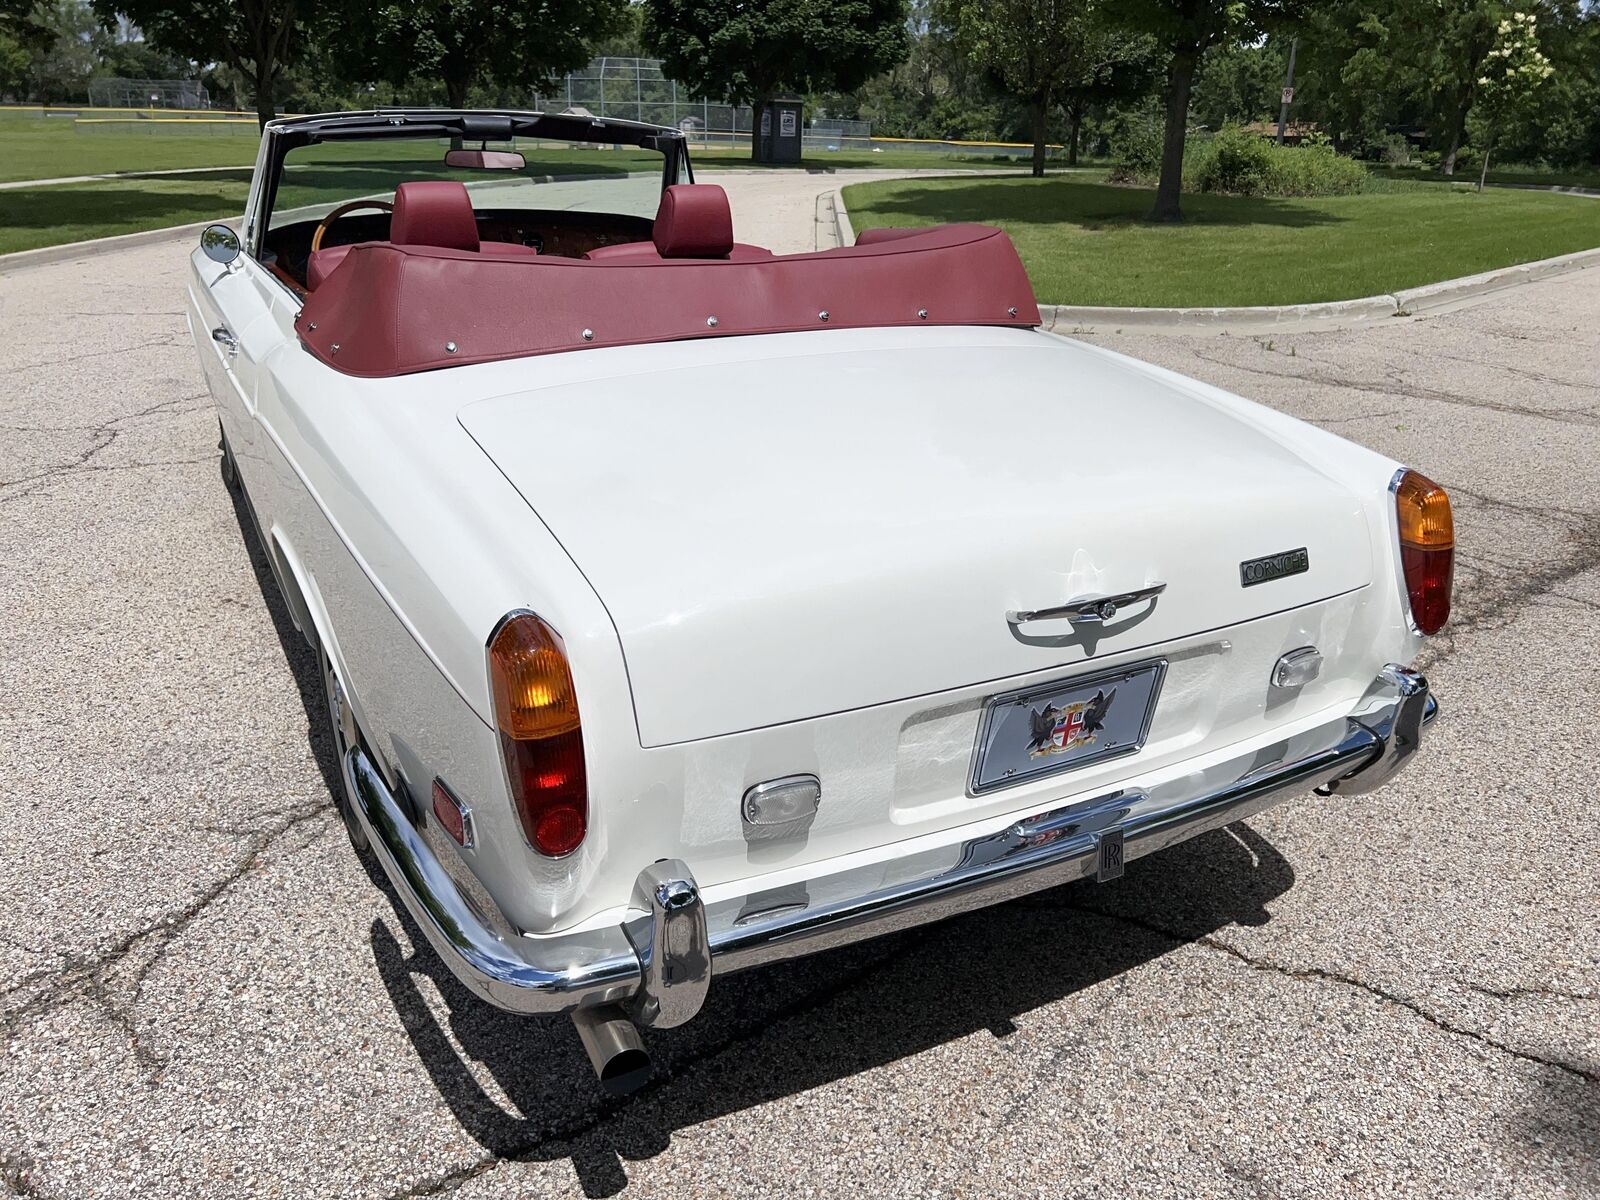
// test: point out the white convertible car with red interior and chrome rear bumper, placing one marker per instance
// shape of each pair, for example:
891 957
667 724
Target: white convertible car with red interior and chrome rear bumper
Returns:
686 607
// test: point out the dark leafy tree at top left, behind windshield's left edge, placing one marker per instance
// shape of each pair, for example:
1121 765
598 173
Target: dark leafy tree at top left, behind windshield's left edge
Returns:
255 38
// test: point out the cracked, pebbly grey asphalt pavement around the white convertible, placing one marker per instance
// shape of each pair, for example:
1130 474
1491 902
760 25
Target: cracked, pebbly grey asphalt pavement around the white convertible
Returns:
204 993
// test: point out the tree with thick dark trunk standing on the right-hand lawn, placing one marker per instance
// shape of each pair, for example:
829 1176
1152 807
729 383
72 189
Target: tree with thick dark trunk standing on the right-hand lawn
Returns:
1186 30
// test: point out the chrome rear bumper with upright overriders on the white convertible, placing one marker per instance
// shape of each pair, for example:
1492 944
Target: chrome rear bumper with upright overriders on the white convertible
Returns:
660 962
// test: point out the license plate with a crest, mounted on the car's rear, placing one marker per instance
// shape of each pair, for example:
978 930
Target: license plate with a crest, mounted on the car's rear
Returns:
1065 726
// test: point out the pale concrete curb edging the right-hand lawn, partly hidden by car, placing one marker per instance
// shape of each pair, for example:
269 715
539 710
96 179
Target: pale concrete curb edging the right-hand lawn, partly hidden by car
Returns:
1444 297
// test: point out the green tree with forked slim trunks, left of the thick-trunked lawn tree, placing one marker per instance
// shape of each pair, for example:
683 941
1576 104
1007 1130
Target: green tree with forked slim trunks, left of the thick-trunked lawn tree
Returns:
1047 54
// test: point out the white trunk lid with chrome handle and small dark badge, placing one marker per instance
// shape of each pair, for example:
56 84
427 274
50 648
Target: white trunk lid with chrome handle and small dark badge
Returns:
852 529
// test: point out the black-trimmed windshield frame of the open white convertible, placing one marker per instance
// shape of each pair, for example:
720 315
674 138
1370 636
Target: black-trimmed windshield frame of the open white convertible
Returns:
284 137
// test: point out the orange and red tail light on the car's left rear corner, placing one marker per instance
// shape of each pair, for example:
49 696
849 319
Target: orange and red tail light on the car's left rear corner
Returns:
542 735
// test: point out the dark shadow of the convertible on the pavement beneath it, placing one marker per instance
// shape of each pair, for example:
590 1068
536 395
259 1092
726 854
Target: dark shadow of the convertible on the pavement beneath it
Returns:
524 1090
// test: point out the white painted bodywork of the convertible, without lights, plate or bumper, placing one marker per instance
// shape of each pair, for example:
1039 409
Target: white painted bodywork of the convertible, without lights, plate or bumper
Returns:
402 543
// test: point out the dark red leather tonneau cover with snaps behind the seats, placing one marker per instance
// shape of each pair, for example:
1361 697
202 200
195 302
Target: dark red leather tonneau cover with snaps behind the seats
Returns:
396 310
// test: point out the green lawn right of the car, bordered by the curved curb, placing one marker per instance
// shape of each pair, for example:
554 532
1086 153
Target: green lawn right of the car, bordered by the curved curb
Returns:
1089 242
